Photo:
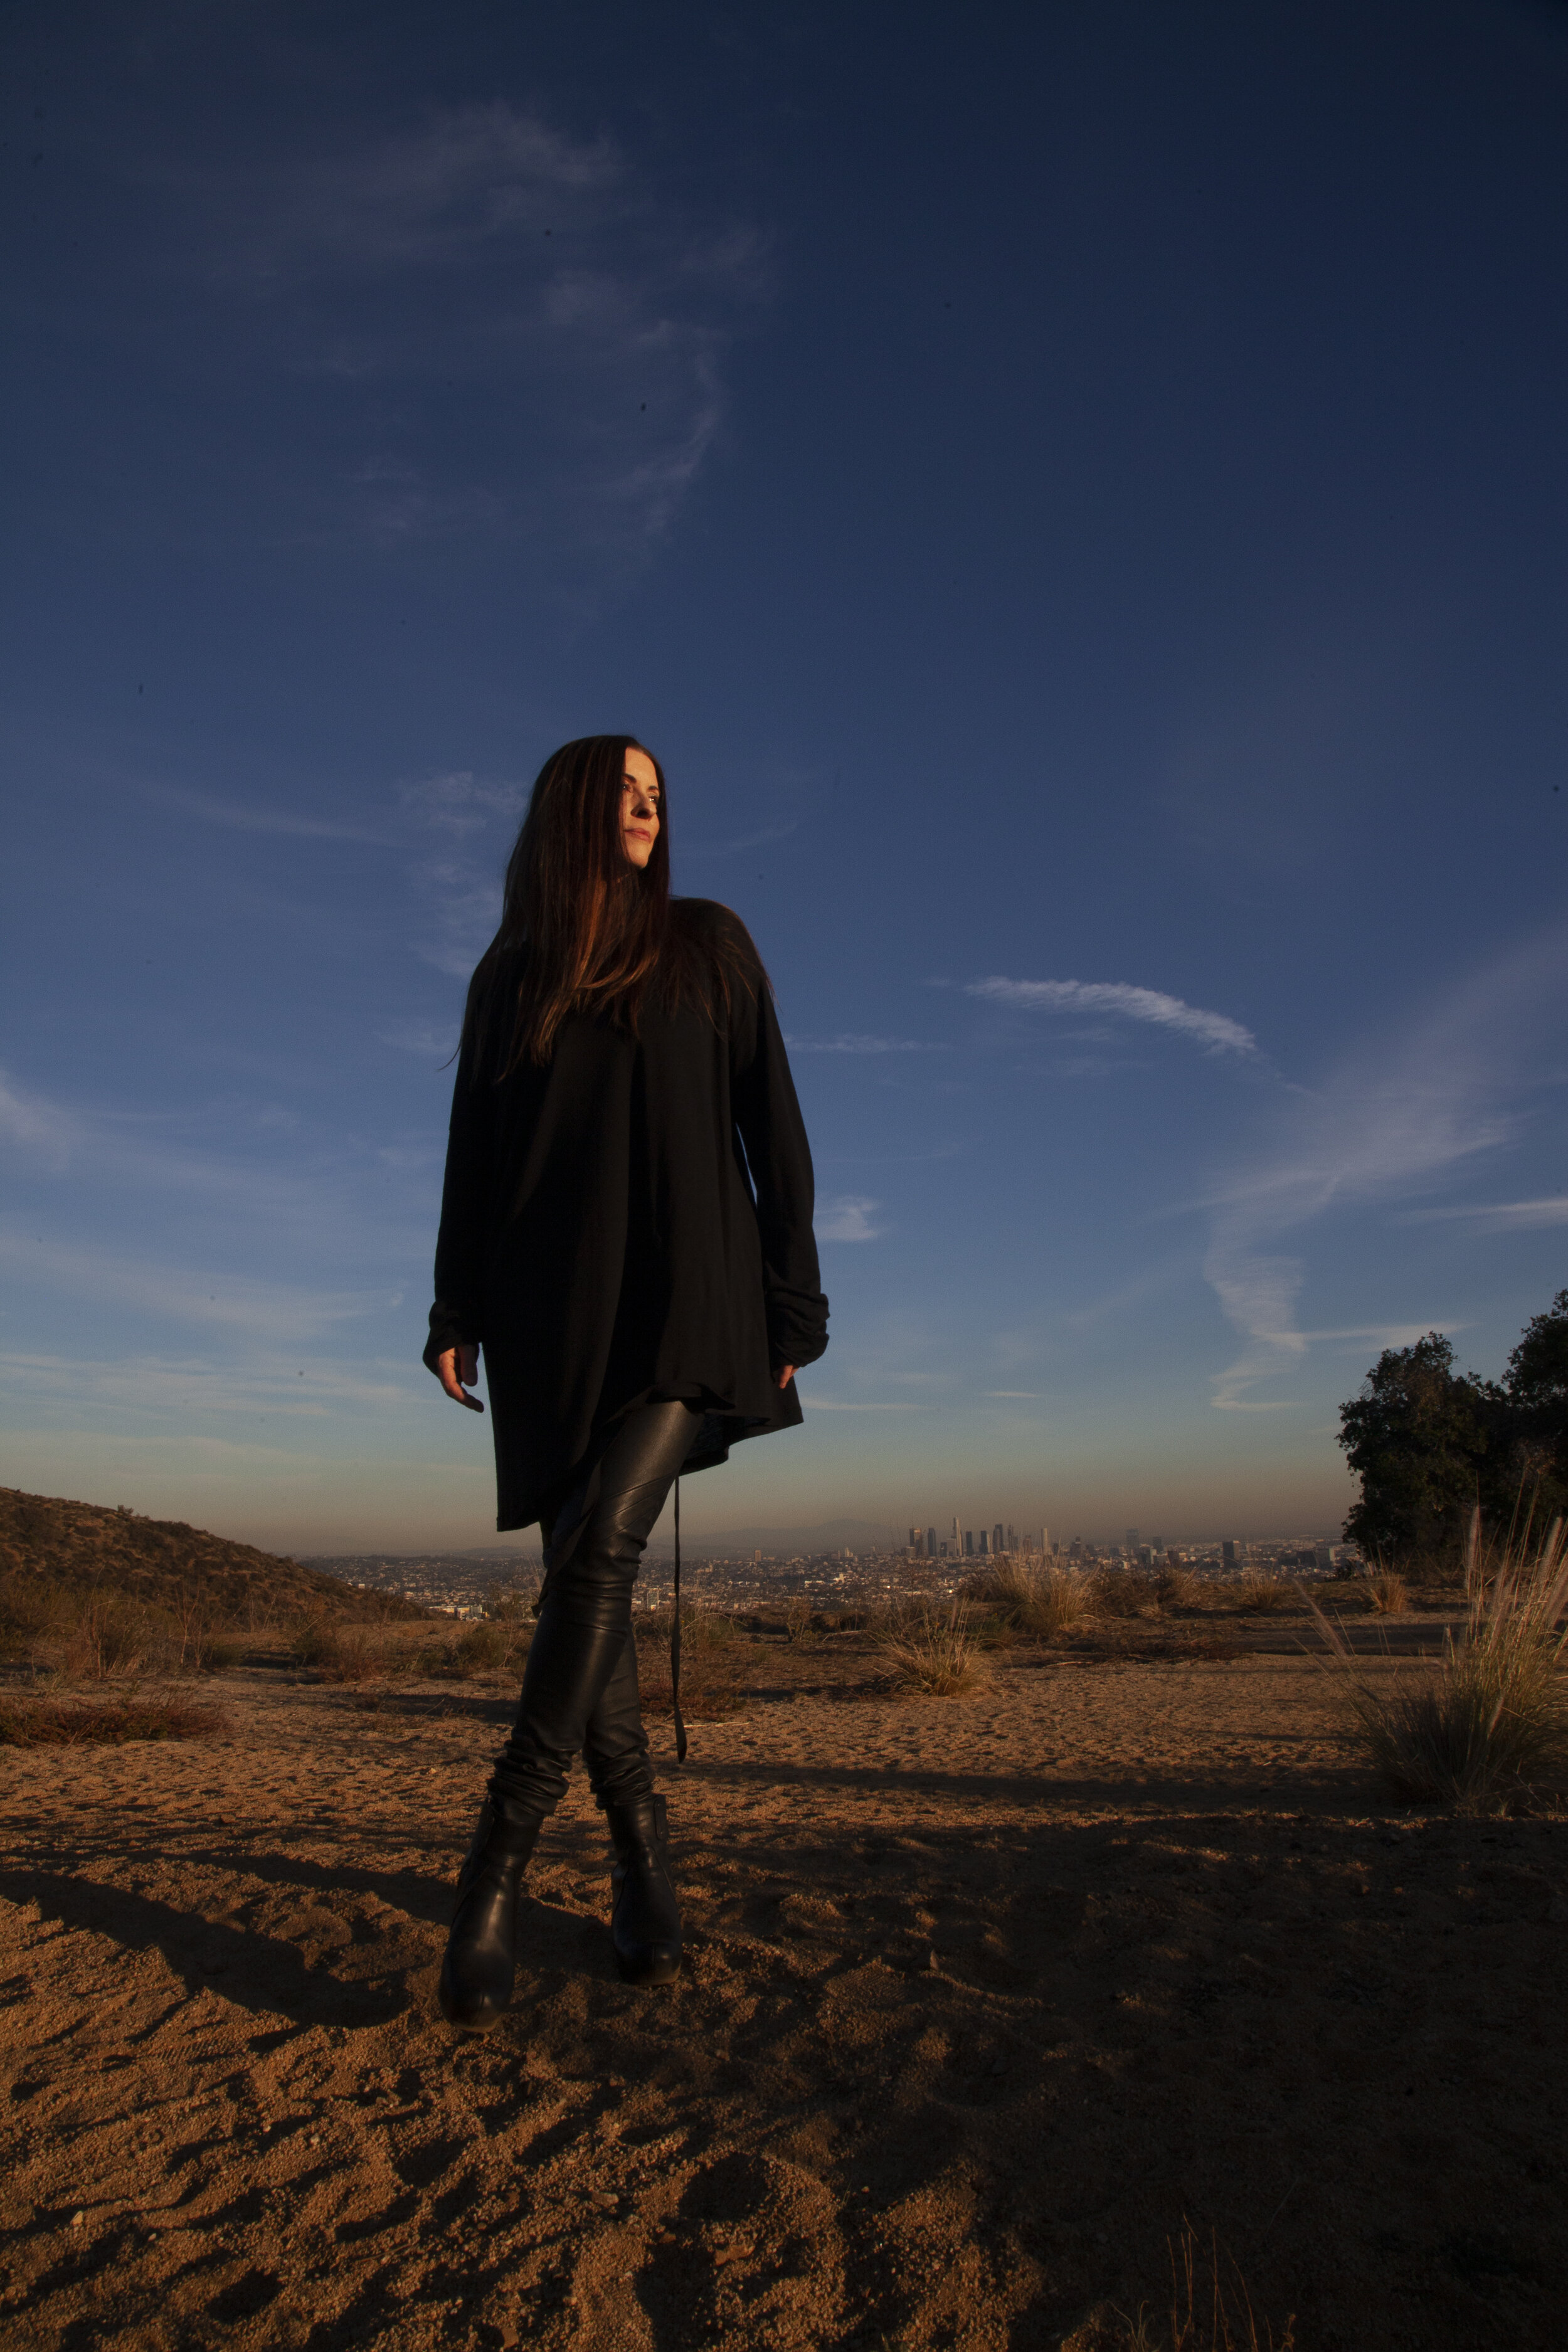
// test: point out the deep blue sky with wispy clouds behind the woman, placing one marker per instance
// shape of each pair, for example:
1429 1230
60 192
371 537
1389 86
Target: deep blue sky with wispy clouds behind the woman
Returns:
1076 500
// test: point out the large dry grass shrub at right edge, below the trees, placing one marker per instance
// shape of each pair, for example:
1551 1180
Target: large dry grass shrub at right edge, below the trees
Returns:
1492 1728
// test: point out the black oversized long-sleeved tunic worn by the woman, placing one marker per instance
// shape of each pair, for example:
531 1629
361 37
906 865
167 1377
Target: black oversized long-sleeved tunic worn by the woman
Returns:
631 1222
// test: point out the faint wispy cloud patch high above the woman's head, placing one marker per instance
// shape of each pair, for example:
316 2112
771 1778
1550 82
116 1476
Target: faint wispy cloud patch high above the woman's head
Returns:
570 309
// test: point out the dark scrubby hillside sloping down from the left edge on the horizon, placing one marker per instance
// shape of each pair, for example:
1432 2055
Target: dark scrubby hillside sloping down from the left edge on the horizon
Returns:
154 1561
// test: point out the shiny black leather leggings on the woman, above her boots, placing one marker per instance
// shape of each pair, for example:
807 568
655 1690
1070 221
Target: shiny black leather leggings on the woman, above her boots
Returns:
579 1690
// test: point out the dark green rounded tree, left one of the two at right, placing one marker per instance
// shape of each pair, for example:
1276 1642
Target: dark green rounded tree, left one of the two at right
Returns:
1419 1438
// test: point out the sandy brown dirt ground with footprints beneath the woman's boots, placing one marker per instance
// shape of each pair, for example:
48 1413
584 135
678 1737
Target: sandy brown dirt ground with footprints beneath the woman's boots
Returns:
981 2000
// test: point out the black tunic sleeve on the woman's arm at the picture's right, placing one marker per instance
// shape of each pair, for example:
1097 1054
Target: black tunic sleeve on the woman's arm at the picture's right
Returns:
779 1158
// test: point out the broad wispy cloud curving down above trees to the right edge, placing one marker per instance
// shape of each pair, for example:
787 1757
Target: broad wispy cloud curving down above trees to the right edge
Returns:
1395 1121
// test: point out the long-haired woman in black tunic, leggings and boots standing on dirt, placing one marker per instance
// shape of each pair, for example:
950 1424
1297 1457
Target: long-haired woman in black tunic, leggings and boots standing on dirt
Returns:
626 1231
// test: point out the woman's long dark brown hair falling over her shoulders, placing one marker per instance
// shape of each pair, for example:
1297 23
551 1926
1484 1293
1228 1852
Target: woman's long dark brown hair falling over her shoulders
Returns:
598 930
